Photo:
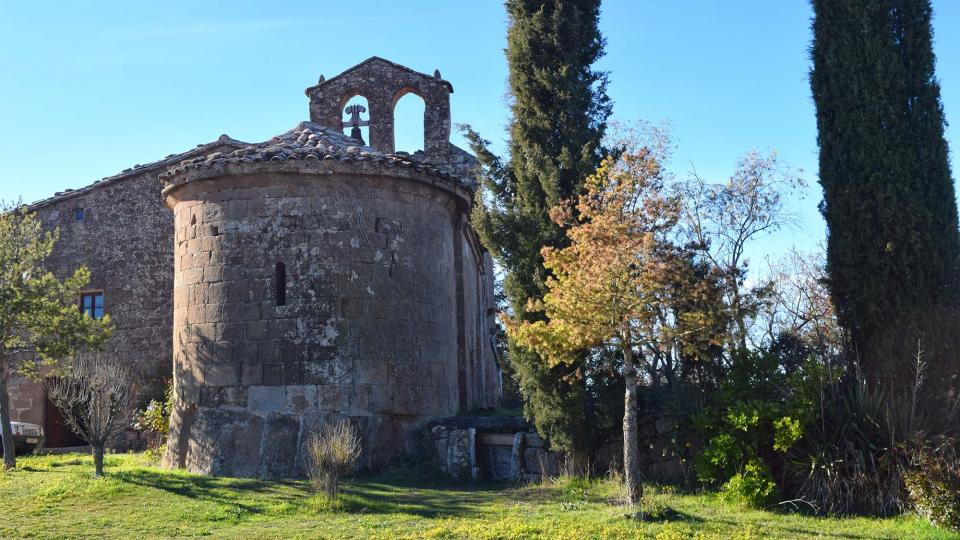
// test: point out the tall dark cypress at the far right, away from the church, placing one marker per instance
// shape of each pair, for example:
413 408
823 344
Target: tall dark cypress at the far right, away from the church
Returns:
889 199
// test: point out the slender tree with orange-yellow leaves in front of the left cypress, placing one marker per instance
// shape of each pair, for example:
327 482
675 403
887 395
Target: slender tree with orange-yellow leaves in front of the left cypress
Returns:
608 286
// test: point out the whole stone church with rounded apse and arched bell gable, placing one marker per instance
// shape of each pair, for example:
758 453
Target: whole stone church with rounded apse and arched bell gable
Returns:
286 283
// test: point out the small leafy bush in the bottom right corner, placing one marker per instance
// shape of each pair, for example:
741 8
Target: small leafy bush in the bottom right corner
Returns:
933 485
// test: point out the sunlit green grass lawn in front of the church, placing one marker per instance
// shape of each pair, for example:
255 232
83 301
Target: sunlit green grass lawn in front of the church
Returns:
56 497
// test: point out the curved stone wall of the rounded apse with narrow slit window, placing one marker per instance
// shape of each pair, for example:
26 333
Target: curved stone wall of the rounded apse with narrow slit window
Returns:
369 330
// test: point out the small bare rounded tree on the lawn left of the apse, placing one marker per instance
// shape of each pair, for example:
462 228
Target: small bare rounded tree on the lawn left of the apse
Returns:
93 395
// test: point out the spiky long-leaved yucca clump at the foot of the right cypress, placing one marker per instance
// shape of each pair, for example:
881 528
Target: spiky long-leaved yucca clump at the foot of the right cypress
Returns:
854 457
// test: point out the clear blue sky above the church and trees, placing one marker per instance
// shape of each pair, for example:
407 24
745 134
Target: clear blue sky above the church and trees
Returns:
92 88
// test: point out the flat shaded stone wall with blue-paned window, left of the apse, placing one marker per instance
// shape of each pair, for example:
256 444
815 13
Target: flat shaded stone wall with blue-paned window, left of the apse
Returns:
126 241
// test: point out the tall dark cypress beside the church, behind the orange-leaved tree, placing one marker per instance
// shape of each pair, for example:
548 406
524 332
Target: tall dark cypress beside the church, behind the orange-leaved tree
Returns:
559 109
